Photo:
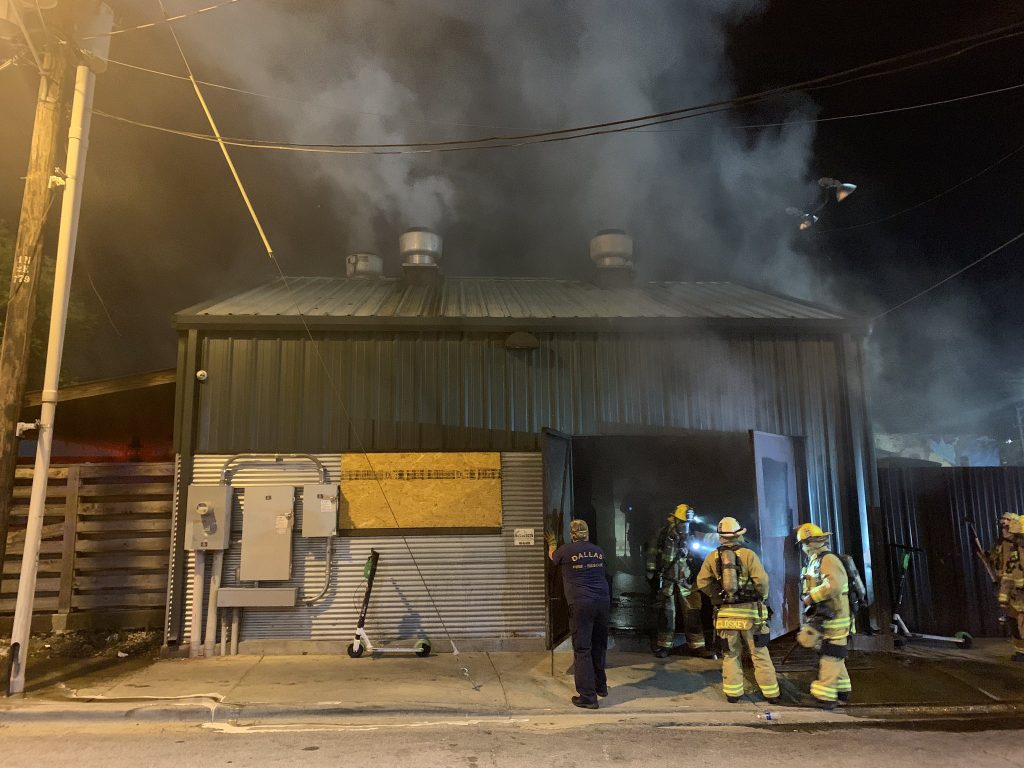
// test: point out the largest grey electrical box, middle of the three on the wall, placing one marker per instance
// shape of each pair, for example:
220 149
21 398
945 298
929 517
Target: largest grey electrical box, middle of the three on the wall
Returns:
268 520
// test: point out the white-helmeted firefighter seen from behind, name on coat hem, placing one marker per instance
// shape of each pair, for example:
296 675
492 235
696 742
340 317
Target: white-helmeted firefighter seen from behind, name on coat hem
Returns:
738 584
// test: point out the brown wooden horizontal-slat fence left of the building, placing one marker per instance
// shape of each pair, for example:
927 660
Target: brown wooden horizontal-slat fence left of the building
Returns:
104 558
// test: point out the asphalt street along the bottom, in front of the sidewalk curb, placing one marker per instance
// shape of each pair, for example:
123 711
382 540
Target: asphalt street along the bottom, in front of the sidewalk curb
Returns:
566 742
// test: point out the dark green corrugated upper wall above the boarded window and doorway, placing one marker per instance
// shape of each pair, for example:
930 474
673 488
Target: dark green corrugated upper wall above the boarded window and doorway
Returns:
454 391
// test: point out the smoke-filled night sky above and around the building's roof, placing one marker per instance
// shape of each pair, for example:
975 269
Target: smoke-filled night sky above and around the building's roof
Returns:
163 226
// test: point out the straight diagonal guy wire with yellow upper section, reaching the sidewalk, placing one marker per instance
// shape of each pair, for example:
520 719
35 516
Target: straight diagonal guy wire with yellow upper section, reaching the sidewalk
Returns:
199 94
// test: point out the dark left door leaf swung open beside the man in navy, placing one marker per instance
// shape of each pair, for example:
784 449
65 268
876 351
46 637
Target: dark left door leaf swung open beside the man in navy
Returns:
558 514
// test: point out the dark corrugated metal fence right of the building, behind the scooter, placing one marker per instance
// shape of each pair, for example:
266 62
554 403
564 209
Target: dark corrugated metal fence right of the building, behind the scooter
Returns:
925 507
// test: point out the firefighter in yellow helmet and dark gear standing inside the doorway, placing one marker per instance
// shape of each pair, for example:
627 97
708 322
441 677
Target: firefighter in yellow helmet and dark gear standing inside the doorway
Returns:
671 571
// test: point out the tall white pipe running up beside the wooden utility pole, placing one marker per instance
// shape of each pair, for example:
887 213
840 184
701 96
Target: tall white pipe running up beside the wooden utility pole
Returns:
78 145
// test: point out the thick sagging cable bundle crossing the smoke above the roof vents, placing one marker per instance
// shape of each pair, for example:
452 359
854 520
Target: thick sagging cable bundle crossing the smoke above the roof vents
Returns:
616 126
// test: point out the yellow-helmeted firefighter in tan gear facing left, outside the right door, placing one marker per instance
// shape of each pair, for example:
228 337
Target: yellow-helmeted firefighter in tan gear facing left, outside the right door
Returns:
826 588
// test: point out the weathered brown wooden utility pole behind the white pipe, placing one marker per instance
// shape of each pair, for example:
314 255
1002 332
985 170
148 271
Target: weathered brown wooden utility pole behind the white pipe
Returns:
36 205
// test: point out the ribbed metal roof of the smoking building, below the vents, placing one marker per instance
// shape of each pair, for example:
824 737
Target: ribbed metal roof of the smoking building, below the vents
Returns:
501 300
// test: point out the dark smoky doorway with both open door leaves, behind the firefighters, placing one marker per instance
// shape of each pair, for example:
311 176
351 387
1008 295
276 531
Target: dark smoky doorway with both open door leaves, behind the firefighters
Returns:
627 487
